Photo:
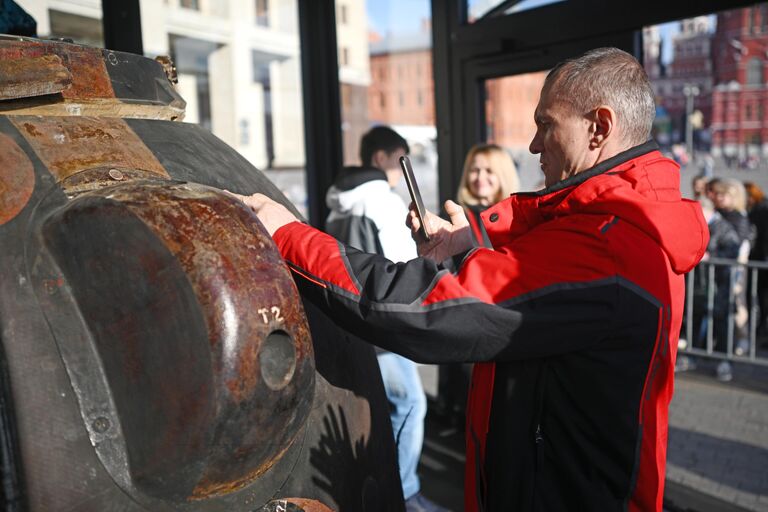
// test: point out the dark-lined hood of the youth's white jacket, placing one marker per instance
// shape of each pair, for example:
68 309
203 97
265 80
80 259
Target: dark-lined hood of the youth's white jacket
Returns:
353 186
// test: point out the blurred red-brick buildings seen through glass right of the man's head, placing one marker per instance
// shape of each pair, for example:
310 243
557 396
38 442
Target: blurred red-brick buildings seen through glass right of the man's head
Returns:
708 75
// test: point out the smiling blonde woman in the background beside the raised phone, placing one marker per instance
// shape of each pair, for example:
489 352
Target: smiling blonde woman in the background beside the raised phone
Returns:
489 176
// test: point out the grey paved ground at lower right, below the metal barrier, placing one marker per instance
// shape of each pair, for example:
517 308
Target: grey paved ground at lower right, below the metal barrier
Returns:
718 440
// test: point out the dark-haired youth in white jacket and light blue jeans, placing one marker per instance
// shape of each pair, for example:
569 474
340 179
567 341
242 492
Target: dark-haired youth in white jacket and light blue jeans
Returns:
368 215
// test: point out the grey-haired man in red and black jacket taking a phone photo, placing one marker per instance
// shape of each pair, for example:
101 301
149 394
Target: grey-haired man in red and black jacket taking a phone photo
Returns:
572 317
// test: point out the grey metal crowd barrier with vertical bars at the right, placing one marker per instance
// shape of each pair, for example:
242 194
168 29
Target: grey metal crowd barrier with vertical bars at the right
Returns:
743 279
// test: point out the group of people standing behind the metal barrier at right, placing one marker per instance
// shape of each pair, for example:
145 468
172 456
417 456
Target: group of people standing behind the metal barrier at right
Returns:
737 217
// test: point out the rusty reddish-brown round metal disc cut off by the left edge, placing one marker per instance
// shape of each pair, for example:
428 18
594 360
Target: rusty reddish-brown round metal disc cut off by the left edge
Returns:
17 179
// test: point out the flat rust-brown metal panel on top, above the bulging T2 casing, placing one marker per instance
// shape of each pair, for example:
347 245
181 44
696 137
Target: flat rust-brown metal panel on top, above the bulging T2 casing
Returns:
67 145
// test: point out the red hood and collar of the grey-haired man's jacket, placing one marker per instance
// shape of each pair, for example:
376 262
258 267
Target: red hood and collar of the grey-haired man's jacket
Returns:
639 186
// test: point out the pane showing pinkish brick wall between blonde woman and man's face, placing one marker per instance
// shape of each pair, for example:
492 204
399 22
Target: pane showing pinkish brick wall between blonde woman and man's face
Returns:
509 107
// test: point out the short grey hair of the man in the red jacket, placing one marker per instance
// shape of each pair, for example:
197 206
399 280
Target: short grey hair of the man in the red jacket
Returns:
612 77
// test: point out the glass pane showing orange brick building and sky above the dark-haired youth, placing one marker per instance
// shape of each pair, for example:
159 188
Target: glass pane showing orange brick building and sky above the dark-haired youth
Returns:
385 74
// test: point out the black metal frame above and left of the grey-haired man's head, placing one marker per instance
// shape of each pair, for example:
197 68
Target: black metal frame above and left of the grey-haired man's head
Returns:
465 55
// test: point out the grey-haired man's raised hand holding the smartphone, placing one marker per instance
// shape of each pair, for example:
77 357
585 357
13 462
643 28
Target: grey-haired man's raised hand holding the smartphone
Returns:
445 238
